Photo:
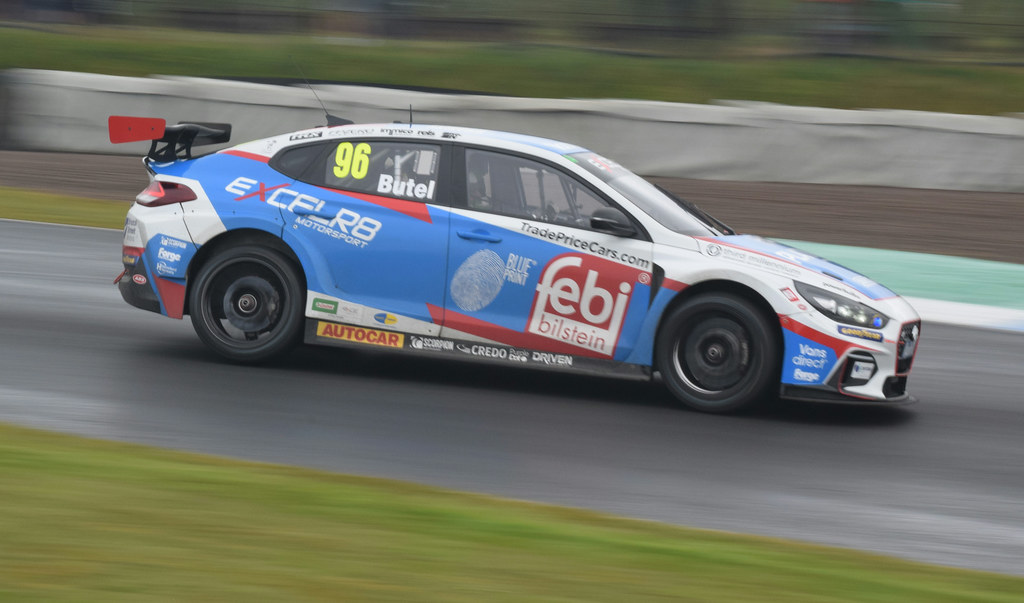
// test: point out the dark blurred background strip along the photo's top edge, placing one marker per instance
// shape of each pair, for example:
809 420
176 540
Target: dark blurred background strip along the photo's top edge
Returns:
941 28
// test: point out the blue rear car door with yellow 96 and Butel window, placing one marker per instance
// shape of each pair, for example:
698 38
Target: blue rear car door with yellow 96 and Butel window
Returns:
368 212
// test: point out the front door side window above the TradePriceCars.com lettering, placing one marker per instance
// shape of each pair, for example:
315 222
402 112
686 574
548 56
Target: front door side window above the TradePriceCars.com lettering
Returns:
516 187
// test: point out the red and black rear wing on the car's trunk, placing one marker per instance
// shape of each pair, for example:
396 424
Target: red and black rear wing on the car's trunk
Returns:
168 143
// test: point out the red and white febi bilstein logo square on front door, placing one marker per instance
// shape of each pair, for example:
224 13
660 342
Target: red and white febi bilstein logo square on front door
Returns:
582 301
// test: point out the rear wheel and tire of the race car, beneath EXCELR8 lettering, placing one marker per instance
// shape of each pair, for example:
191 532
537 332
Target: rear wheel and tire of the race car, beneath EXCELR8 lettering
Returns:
247 304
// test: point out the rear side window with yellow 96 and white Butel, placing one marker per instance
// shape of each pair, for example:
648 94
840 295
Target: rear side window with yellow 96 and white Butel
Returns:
393 168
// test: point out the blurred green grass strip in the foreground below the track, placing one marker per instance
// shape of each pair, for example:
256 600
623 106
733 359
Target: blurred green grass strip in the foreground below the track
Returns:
88 521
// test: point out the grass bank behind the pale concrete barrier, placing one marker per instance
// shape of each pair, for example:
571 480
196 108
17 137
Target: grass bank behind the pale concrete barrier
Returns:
526 70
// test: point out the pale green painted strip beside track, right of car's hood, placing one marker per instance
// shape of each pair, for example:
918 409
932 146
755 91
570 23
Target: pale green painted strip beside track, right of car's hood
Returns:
932 277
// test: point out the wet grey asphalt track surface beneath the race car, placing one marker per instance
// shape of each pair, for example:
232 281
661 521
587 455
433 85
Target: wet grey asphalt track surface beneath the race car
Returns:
940 482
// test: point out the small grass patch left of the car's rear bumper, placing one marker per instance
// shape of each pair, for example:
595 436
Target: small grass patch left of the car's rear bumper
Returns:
18 204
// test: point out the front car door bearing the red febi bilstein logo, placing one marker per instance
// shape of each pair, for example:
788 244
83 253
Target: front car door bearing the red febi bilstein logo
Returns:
527 268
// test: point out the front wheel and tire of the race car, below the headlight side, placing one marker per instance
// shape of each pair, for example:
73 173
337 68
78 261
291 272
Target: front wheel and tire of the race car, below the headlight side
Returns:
718 354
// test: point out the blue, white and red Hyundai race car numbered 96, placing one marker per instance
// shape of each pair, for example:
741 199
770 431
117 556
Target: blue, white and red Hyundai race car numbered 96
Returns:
497 247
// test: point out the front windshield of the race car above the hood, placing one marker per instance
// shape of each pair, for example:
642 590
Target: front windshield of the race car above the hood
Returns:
671 212
